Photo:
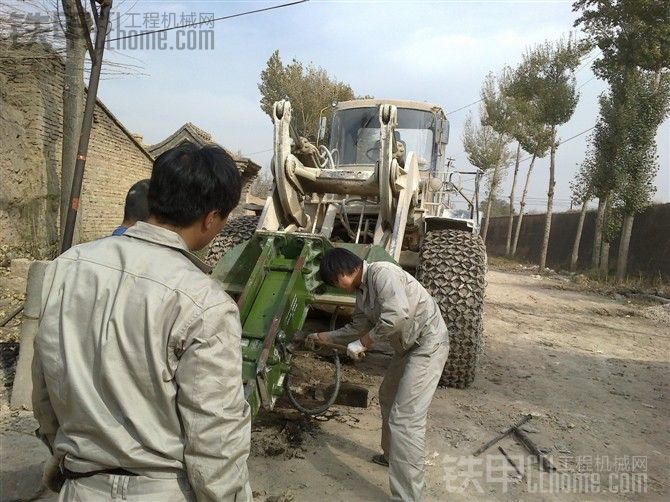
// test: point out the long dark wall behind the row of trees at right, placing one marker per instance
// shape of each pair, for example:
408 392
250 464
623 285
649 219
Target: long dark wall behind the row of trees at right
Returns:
649 251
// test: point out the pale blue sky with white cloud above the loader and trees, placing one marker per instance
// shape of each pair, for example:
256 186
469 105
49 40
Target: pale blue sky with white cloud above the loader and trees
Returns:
436 51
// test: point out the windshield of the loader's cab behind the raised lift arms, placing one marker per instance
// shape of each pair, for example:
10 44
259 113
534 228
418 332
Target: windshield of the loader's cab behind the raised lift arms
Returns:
355 135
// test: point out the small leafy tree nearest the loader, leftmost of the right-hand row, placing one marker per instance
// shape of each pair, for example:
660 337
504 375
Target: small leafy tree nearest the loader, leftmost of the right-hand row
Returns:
487 150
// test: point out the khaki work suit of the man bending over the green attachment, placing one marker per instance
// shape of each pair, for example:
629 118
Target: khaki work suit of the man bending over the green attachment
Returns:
392 305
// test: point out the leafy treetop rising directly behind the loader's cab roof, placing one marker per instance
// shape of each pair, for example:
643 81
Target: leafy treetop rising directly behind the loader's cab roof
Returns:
309 88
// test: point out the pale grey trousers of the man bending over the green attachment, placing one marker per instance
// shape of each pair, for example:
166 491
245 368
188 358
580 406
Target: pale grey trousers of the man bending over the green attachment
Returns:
404 397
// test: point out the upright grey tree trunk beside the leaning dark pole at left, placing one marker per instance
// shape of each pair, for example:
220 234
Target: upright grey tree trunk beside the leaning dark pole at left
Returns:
73 102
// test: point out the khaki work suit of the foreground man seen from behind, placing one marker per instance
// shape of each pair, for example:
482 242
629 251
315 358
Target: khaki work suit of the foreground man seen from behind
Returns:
138 366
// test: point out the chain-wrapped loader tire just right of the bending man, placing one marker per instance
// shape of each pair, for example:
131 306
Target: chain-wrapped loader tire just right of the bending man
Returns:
452 268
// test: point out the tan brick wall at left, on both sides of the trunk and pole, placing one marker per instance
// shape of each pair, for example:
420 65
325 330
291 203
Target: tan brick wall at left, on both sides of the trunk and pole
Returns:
31 83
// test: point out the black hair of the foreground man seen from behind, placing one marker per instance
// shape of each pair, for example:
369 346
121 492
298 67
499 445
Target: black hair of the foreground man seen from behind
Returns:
189 181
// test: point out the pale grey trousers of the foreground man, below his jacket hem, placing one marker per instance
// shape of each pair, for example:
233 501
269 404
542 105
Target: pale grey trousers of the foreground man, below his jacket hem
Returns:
104 487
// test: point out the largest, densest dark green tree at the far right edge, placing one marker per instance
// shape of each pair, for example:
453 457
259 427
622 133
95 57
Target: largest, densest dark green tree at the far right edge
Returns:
634 38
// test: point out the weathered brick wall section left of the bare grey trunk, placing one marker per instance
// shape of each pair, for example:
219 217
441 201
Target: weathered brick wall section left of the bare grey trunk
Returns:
30 143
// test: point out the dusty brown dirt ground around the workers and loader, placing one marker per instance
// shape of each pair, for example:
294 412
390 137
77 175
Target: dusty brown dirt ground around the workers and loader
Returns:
593 371
